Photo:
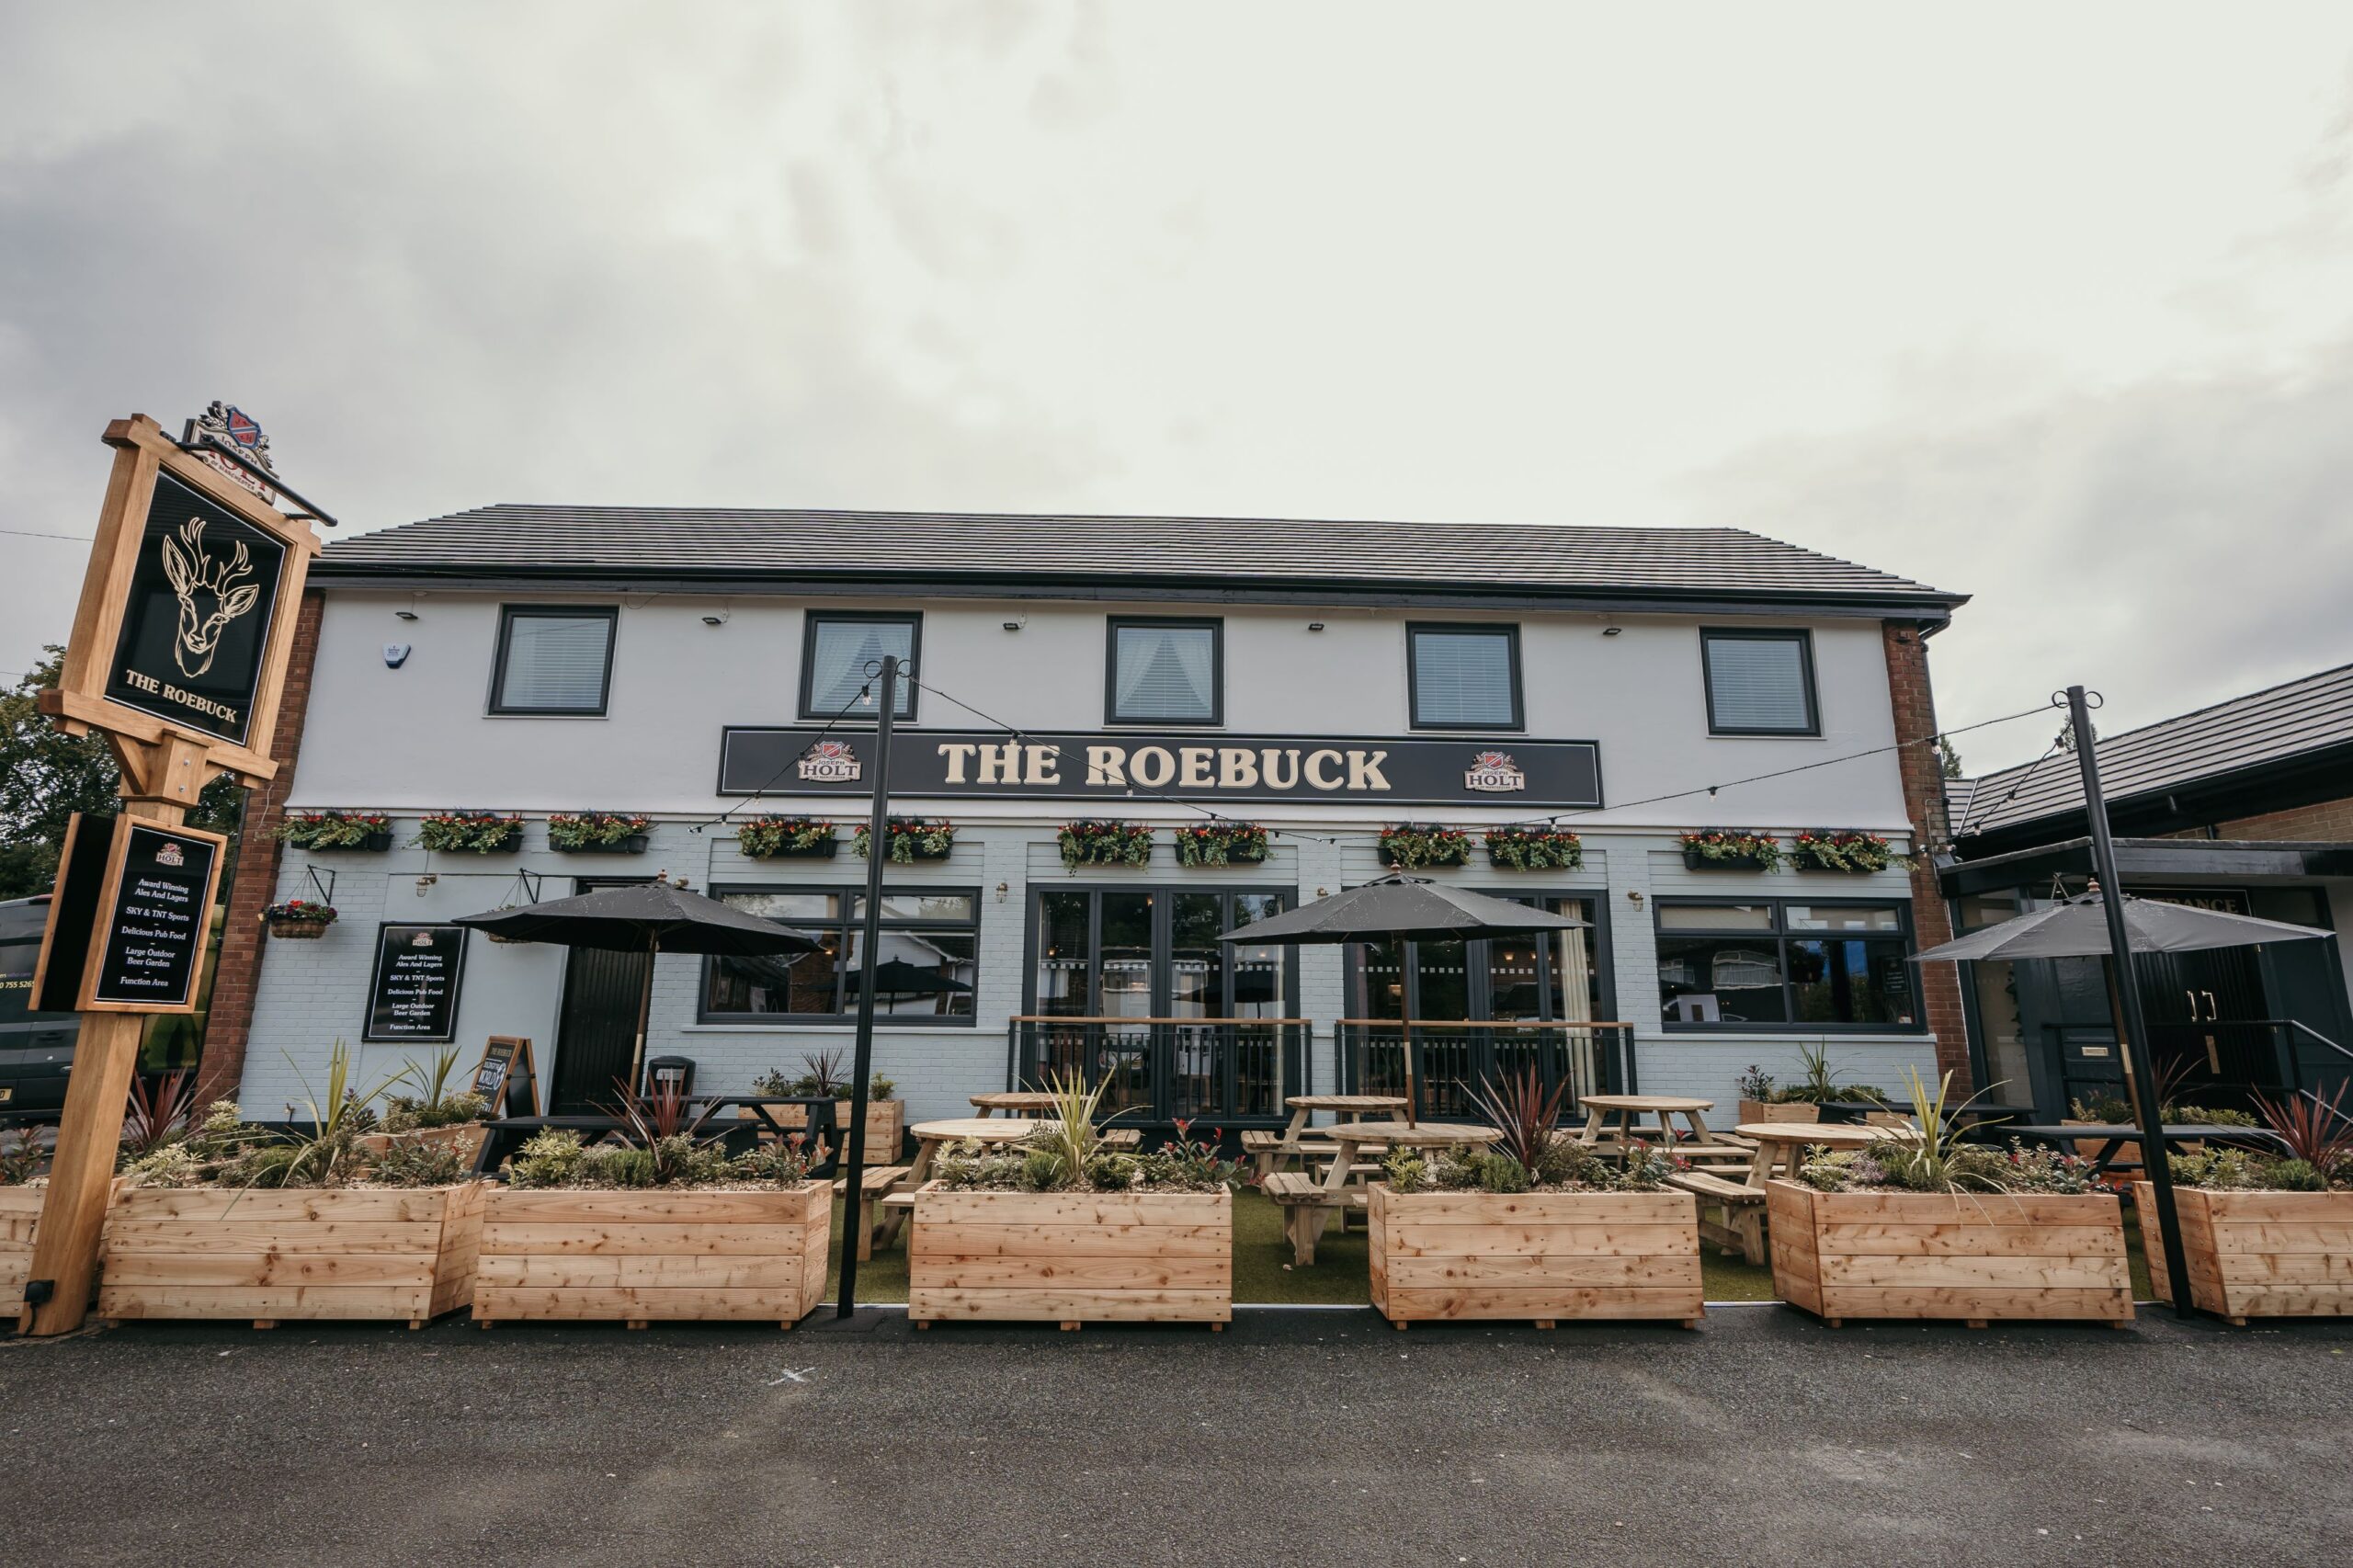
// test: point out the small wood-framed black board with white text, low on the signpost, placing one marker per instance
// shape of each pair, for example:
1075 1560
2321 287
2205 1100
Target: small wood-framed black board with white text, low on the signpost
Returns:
152 929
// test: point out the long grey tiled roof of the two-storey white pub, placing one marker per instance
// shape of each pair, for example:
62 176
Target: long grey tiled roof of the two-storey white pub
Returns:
881 547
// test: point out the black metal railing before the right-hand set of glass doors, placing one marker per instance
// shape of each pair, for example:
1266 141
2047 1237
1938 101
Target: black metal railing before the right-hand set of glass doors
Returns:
1589 1058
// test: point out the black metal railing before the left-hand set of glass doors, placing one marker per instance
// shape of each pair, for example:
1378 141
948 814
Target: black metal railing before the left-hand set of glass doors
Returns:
1227 1072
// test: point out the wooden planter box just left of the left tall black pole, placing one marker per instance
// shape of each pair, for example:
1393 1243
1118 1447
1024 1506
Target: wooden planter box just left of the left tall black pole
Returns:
641 1256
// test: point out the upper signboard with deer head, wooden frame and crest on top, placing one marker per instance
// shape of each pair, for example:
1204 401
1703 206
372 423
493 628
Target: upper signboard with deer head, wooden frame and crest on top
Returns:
187 611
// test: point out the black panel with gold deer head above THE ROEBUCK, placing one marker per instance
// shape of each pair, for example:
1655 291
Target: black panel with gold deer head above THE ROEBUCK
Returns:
199 613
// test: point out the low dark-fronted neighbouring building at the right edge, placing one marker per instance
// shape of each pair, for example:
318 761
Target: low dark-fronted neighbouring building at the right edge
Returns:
2244 806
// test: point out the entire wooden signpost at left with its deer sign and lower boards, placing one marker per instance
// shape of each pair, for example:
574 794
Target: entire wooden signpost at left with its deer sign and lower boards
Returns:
178 656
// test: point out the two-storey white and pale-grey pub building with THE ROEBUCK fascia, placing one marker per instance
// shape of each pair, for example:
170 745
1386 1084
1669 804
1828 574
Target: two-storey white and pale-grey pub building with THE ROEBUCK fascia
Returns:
1324 682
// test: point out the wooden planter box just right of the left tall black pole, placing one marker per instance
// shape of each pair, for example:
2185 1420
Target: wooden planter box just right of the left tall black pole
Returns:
1072 1256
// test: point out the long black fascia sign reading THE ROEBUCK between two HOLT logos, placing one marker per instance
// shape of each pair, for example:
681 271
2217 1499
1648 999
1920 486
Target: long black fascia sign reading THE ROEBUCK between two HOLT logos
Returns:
789 762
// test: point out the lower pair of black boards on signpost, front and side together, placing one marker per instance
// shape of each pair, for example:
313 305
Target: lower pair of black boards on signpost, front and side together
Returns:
128 919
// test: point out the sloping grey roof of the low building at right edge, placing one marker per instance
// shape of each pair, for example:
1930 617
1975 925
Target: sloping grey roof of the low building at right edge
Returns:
2269 726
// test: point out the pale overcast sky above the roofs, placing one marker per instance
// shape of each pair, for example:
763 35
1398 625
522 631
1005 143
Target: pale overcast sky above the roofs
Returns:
2041 303
